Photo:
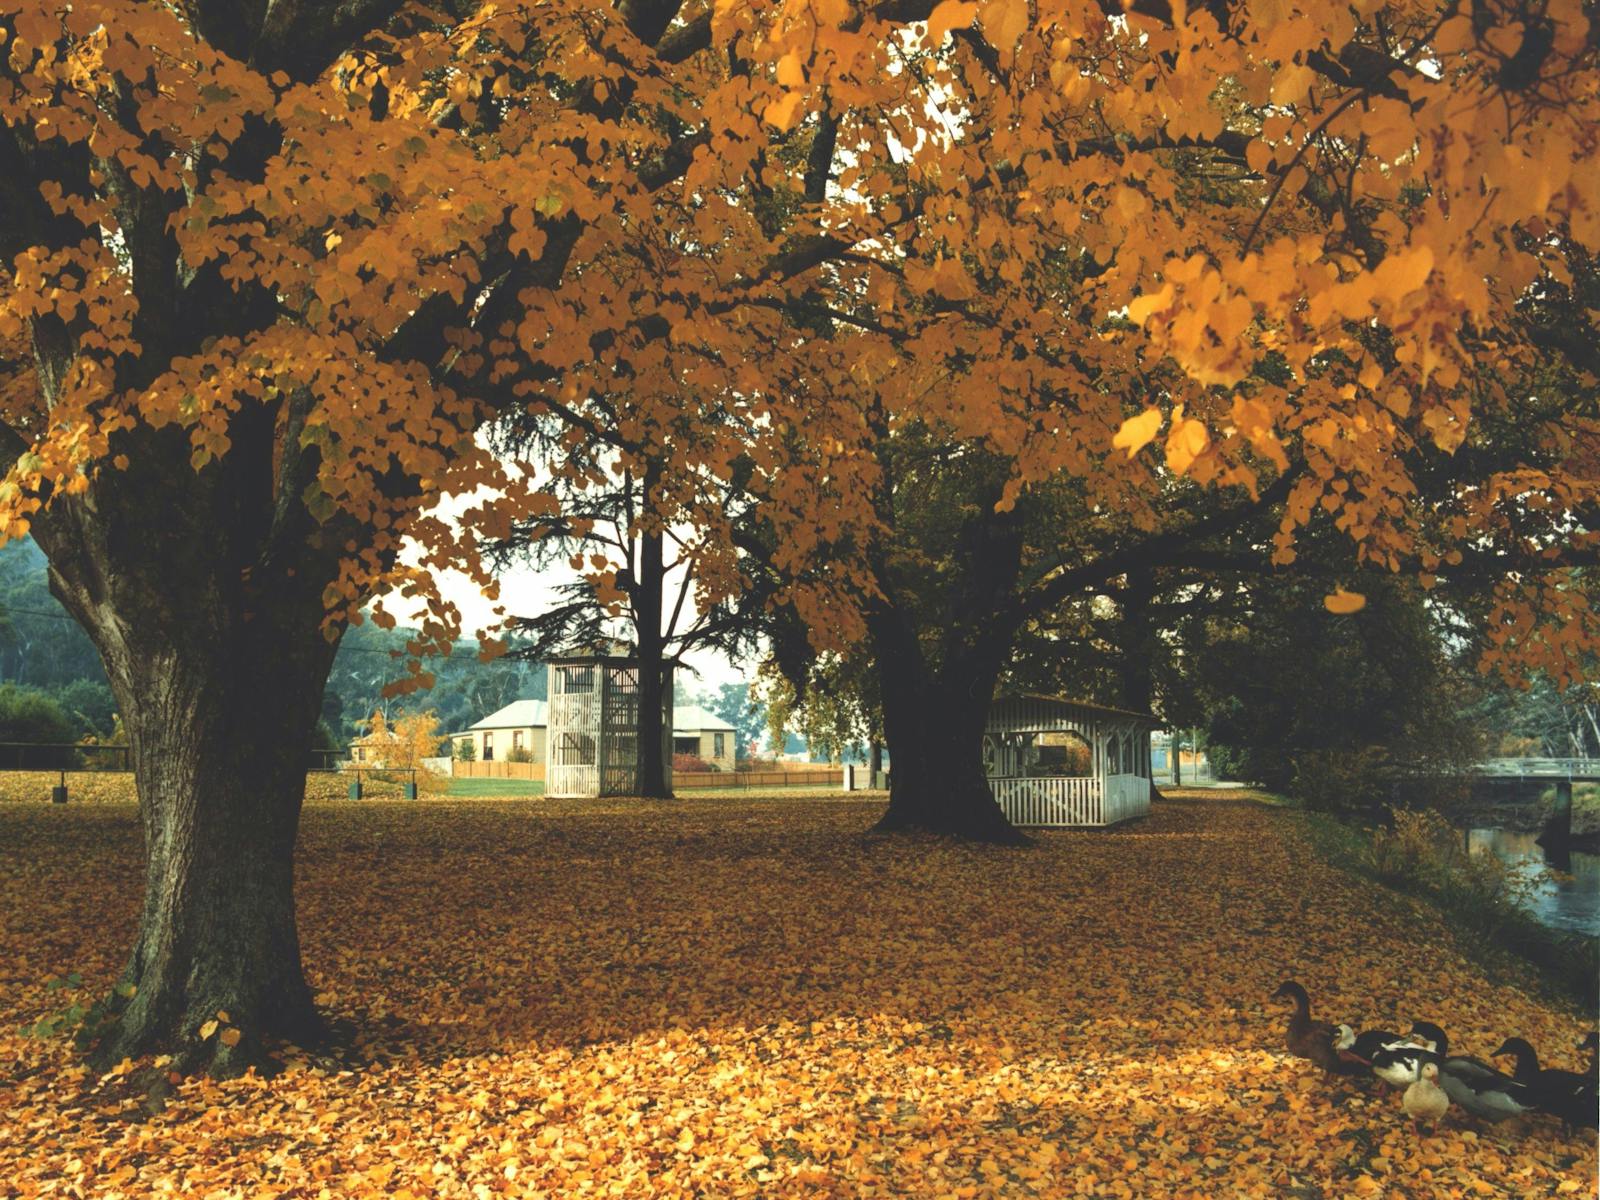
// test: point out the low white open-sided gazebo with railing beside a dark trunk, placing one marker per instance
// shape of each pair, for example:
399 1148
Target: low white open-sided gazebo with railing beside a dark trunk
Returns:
1116 788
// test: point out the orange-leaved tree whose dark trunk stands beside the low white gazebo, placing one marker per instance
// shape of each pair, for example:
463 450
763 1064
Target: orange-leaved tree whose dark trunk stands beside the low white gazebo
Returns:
1239 234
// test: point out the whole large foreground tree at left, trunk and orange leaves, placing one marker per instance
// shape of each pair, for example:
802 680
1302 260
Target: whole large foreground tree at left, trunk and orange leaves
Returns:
265 278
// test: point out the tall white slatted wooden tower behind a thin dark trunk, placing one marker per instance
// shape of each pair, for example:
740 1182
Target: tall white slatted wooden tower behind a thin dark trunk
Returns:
593 738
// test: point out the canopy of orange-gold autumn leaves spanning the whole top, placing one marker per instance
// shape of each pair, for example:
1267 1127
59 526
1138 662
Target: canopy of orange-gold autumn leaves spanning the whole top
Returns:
1361 198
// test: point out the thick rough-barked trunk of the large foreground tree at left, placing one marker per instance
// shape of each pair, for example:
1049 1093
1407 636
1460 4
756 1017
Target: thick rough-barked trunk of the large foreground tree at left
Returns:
206 601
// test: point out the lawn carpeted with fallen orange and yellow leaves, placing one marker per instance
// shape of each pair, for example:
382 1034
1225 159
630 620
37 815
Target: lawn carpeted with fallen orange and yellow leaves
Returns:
745 998
